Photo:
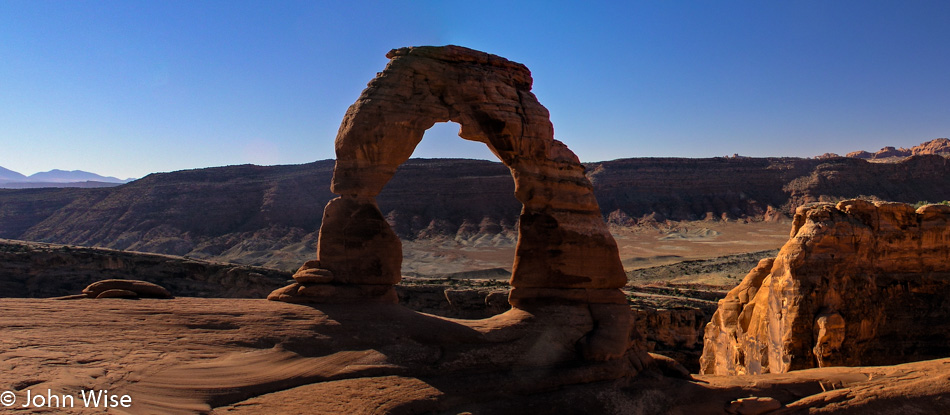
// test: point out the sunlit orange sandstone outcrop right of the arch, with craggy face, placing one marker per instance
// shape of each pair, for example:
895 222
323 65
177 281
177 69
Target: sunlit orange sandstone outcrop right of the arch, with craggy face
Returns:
858 283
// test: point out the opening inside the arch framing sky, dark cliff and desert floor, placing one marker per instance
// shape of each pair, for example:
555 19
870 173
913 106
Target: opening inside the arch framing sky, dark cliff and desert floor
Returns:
459 217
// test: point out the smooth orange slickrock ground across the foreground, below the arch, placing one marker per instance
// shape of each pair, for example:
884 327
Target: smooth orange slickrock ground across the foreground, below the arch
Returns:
189 355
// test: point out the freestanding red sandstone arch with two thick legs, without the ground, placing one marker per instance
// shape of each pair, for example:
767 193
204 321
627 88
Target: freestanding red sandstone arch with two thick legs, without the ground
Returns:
564 250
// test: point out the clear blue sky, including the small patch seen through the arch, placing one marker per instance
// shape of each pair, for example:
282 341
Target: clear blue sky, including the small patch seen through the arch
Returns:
125 88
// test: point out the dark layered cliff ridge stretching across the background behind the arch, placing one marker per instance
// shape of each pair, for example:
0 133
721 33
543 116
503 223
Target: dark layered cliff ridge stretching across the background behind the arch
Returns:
269 216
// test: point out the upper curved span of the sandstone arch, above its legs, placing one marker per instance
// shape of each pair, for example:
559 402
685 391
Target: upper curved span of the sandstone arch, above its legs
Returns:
488 96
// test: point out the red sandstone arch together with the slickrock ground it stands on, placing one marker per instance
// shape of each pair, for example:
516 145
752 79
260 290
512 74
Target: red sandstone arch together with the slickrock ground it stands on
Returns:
335 342
